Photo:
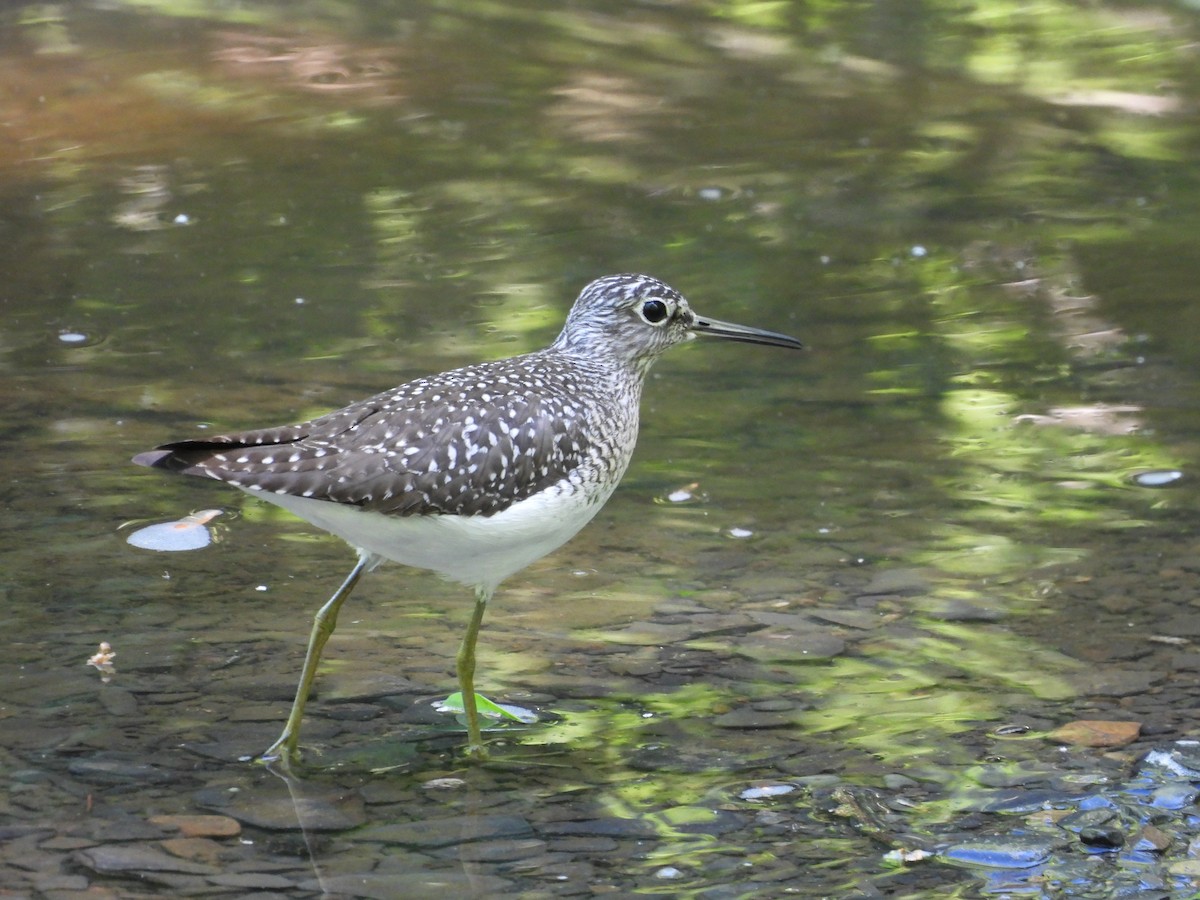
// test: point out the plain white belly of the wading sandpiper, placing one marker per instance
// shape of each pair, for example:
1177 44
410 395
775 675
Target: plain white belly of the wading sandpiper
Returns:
472 550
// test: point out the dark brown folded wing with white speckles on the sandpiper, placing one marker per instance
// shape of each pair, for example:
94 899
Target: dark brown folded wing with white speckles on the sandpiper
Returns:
469 442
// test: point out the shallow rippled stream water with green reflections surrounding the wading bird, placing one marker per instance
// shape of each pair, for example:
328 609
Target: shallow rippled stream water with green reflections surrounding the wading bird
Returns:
871 580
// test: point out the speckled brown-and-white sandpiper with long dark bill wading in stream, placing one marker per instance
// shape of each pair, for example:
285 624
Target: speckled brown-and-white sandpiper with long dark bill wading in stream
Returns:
475 473
